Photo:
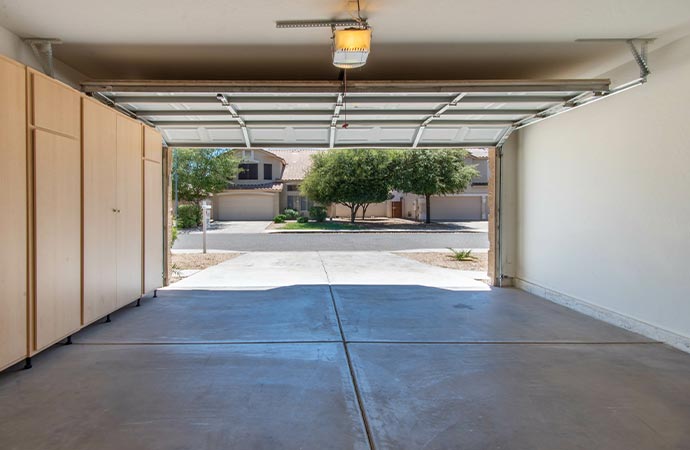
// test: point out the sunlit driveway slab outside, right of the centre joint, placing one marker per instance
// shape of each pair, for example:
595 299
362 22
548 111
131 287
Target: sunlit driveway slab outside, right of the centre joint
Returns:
381 268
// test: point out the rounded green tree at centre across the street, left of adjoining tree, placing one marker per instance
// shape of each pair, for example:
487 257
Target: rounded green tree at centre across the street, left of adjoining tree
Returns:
354 178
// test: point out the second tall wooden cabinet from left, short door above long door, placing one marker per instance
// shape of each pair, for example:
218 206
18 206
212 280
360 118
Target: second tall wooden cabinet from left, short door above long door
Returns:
55 206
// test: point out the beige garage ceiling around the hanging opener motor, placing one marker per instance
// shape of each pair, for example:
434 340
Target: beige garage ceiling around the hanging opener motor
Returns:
432 39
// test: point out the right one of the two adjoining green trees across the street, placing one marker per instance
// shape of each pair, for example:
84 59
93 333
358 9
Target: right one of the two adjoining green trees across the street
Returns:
430 172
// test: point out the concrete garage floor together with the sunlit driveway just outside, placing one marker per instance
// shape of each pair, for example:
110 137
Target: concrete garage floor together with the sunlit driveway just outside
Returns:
347 350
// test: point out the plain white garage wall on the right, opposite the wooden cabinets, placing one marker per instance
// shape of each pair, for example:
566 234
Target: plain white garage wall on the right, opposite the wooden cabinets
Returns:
603 199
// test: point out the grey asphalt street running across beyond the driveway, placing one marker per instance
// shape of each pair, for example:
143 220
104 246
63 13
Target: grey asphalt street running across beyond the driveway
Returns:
332 241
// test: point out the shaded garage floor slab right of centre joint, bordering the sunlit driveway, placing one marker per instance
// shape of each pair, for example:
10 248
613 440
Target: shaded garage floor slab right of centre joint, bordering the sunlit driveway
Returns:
423 314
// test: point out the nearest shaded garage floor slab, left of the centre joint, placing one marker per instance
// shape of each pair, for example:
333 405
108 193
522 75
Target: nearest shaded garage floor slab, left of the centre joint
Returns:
162 397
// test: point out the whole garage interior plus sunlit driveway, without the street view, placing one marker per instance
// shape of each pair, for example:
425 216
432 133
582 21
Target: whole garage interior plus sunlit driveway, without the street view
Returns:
580 342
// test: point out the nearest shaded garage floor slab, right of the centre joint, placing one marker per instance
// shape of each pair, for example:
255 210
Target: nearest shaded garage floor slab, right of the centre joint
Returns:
524 397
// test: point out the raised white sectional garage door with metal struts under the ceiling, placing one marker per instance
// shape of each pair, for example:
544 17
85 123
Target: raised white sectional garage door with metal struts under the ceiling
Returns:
400 114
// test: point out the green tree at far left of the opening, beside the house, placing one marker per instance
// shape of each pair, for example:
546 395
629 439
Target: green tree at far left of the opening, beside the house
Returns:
201 172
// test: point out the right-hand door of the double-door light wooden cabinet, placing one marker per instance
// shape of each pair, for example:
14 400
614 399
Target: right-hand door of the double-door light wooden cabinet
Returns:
129 203
